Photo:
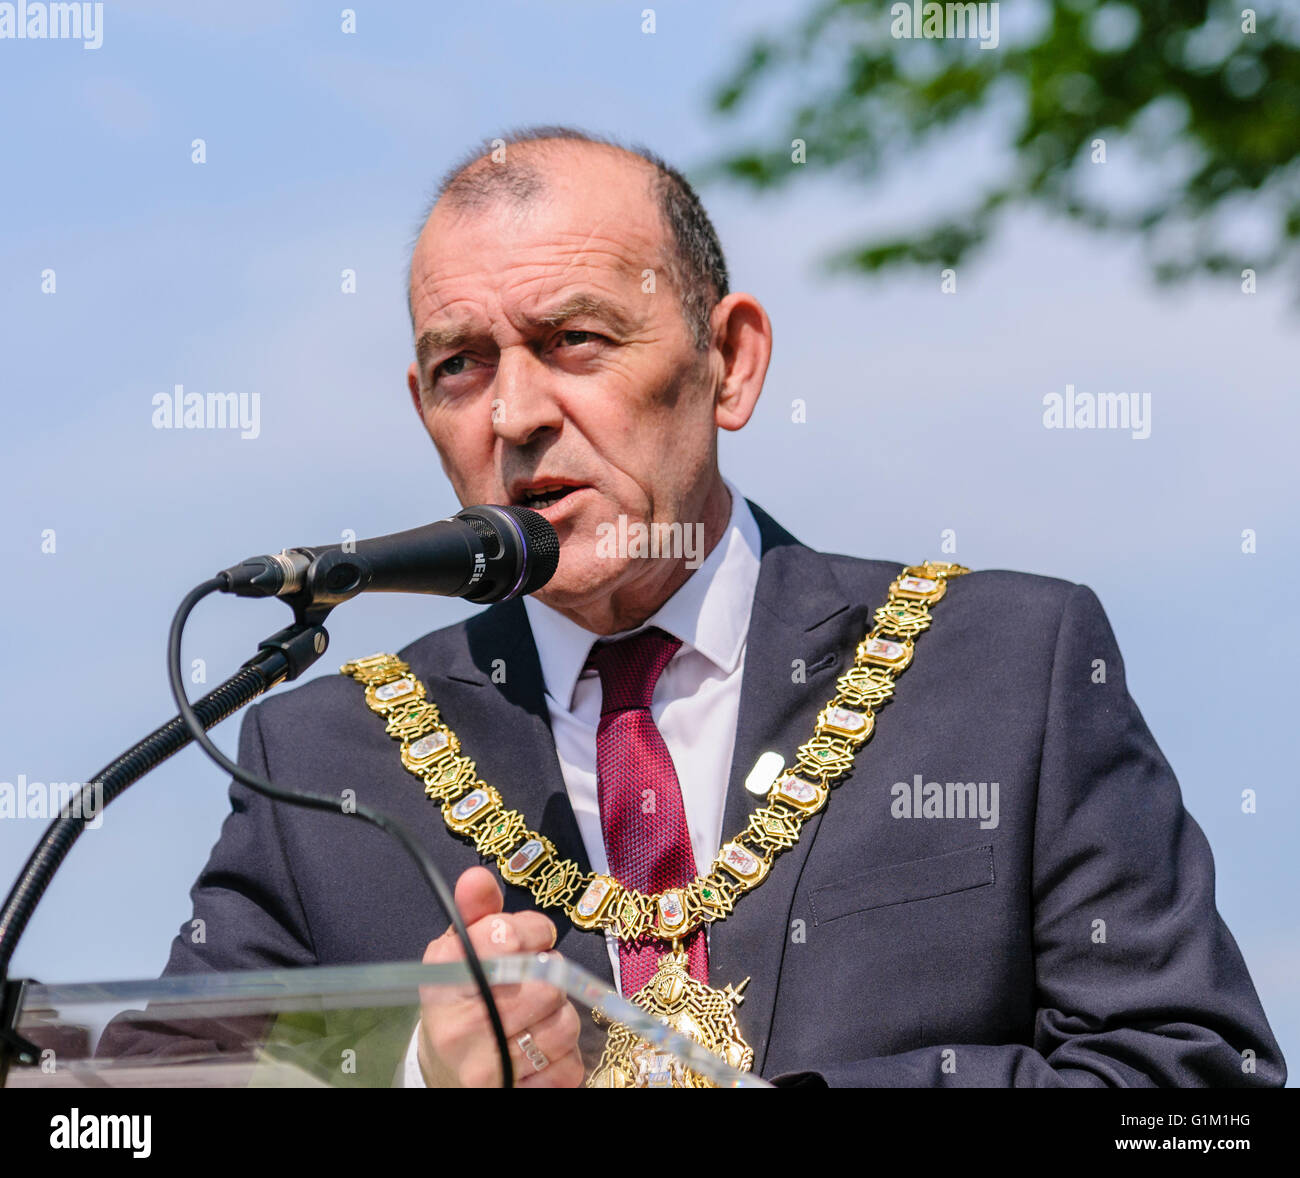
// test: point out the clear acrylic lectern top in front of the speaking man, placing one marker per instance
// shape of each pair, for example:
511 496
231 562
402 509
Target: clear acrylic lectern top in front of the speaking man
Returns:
333 1027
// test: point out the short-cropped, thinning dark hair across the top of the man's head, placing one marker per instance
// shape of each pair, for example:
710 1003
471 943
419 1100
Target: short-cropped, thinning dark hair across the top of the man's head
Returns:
526 167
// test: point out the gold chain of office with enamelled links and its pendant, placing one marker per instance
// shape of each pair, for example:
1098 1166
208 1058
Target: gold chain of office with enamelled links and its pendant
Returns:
474 809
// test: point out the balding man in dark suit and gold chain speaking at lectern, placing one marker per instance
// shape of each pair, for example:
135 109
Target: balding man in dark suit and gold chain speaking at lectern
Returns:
578 350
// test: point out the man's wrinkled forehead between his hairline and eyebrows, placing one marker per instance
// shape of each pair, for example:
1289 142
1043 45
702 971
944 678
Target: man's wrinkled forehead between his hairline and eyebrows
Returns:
565 213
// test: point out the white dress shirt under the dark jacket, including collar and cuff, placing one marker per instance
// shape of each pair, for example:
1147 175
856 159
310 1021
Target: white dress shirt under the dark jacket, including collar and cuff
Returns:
696 701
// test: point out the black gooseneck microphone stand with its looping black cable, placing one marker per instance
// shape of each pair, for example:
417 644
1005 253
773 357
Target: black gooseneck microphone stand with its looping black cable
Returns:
280 659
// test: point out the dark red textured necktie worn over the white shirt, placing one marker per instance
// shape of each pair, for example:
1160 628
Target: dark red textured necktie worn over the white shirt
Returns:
644 822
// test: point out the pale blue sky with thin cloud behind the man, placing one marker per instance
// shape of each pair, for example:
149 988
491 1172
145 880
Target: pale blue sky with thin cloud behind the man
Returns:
322 149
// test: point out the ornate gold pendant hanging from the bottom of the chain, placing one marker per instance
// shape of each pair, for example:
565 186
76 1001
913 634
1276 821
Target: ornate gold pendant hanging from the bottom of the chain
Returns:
688 1007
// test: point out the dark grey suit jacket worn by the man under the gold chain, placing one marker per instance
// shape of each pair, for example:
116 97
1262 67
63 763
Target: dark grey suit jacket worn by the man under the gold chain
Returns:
1077 943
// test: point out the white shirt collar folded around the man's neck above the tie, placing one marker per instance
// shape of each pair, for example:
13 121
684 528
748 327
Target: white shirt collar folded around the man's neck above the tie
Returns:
709 613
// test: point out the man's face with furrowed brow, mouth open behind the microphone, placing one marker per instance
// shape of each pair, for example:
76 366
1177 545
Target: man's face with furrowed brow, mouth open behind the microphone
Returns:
549 358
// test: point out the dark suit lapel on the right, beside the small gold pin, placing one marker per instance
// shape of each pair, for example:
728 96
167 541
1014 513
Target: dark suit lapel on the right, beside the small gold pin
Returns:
801 618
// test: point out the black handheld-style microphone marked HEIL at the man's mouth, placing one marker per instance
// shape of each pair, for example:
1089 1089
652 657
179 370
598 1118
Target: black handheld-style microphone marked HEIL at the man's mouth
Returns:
484 555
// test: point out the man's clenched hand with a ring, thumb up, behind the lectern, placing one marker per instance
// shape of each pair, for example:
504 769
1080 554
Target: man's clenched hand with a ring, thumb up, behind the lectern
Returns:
456 1032
